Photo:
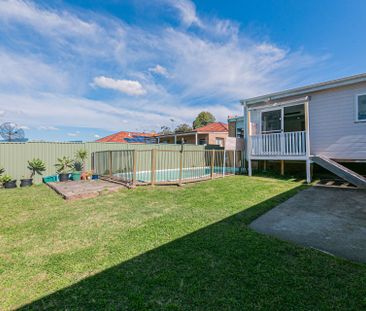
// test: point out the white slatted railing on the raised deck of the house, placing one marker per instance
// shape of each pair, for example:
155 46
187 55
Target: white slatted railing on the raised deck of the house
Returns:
279 144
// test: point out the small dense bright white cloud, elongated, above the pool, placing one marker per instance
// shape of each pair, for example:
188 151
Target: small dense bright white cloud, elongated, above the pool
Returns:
125 86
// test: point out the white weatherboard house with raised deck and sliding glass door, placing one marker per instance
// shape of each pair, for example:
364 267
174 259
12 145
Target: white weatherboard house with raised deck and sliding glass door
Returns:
324 123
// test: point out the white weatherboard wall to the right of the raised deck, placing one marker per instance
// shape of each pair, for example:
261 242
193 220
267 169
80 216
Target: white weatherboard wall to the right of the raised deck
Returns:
333 130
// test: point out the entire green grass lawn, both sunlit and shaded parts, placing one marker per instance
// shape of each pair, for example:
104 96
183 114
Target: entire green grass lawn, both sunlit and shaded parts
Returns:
170 248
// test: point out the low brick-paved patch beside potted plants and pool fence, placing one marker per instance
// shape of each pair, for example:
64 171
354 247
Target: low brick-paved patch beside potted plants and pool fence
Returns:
71 190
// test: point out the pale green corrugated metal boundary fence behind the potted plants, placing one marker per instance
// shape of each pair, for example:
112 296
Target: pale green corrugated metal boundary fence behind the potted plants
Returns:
14 156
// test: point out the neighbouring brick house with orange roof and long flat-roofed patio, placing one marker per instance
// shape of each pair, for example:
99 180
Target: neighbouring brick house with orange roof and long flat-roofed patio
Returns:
214 133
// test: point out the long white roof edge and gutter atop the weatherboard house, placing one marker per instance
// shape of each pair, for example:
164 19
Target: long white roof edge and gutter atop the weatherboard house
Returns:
307 89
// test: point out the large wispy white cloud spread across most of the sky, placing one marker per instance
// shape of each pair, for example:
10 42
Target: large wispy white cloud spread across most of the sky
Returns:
209 69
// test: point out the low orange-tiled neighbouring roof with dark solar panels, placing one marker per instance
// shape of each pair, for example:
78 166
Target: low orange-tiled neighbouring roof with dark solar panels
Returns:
130 137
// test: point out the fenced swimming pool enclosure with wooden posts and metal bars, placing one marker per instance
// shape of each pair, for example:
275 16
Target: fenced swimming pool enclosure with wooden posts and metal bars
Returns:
140 167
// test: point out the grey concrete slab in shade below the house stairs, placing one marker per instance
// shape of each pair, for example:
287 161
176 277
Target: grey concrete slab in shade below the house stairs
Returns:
328 219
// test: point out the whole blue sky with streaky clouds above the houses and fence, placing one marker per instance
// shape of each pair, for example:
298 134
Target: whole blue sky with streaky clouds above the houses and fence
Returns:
79 70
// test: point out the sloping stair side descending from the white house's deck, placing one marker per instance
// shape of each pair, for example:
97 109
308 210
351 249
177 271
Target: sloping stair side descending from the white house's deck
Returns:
341 171
